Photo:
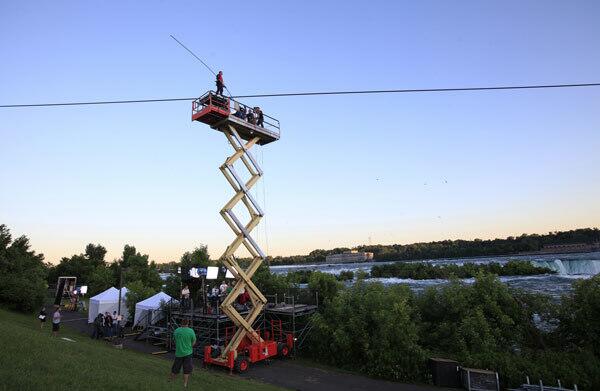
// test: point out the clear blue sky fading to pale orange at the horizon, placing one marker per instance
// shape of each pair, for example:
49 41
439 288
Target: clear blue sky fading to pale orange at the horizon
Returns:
348 170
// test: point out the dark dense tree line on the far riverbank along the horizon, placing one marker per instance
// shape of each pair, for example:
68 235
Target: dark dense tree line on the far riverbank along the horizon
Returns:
455 248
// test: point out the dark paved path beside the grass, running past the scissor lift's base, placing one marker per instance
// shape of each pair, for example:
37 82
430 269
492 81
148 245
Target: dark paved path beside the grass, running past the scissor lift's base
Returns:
291 374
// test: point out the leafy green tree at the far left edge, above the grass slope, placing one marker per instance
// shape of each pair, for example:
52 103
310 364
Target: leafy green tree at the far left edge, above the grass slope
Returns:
22 273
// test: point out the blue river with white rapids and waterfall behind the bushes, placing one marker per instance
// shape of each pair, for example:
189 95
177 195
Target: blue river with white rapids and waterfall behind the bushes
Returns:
568 268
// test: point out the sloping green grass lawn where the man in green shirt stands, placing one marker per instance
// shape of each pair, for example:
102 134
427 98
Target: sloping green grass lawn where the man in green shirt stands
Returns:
31 359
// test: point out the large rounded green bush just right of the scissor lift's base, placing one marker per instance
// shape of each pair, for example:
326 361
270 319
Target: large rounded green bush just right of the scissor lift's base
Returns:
378 334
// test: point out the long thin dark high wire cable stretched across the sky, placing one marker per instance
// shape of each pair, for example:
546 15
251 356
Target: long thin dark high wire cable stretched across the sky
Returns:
419 90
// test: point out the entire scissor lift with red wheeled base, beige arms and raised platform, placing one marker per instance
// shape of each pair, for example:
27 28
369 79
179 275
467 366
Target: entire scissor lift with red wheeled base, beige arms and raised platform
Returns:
229 117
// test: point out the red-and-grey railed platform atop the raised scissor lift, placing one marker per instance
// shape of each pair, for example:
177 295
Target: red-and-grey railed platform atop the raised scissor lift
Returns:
220 111
